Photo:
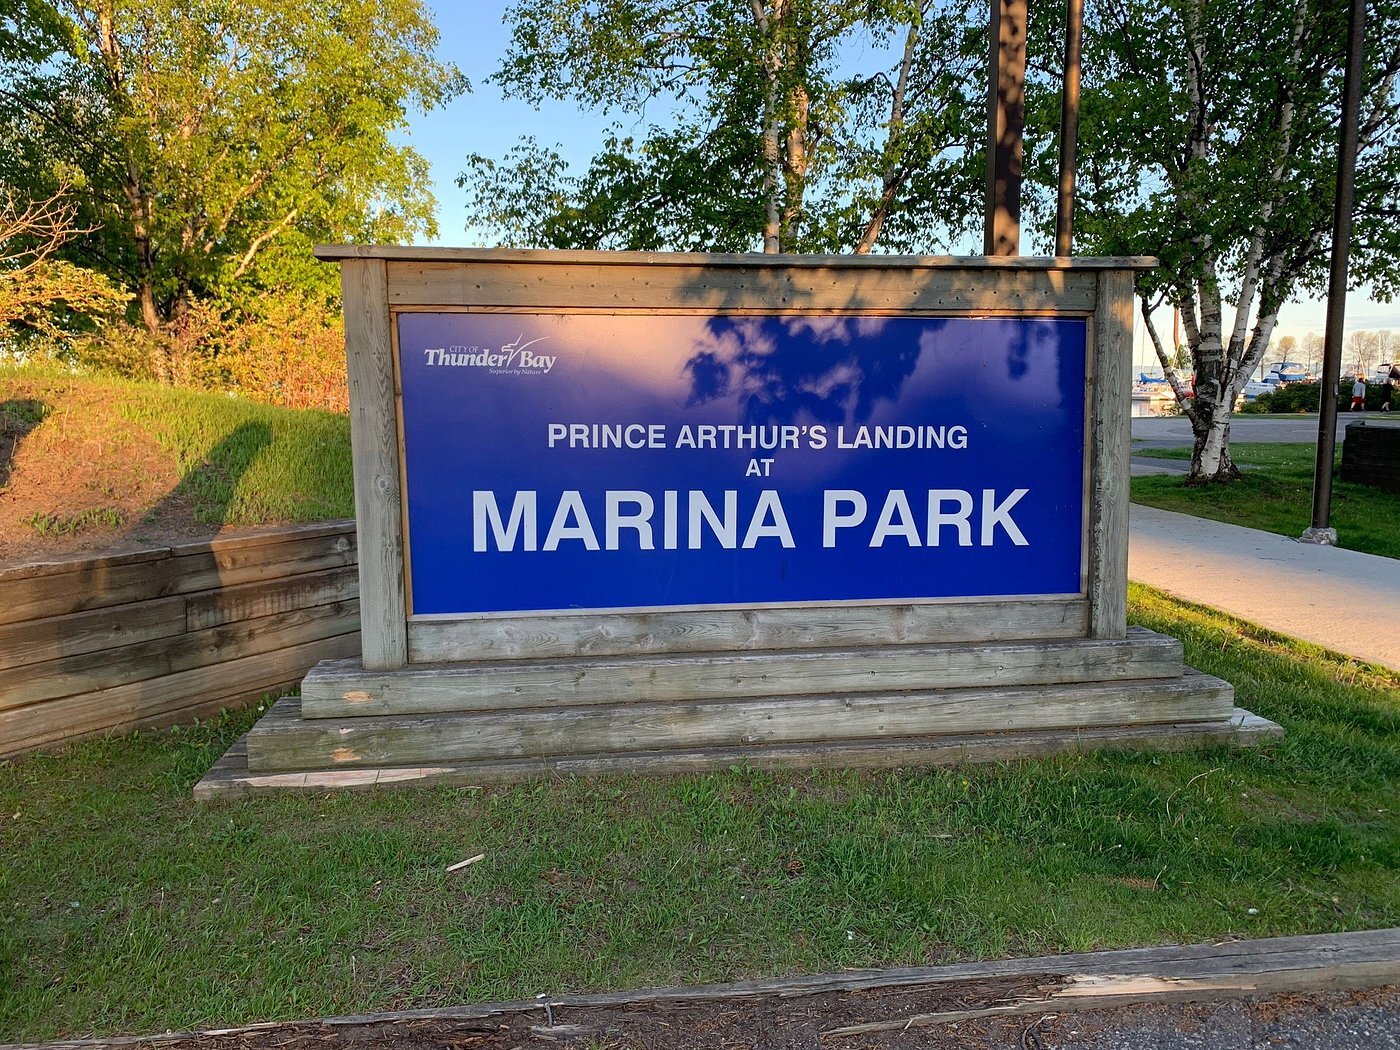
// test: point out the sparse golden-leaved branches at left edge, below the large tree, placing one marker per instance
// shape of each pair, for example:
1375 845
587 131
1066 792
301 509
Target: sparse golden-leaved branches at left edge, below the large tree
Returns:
40 292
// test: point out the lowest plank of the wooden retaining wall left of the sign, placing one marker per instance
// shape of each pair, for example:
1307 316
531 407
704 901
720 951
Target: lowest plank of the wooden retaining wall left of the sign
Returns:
122 708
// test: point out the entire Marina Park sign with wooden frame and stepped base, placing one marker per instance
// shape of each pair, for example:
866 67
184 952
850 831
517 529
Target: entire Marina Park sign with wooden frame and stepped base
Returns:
663 513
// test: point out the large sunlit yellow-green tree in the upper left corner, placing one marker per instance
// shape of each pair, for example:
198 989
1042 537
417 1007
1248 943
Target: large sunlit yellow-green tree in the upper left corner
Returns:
205 136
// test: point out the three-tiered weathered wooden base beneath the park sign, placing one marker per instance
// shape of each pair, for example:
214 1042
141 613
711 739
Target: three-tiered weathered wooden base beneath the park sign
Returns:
876 706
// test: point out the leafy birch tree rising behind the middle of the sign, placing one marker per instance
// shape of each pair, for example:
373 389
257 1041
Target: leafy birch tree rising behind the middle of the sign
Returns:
773 143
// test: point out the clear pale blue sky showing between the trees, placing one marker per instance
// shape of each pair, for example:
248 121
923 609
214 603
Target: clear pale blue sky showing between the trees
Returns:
475 38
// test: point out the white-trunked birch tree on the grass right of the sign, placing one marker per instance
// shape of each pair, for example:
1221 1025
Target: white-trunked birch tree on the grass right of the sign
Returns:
1210 139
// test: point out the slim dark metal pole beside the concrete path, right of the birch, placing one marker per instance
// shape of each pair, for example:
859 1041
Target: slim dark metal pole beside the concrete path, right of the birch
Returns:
1321 530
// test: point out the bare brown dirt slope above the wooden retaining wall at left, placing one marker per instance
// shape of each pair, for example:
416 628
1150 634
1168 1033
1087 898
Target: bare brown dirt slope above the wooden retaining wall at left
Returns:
76 477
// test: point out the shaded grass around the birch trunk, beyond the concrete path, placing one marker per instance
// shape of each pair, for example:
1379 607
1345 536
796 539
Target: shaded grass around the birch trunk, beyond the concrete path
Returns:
1276 496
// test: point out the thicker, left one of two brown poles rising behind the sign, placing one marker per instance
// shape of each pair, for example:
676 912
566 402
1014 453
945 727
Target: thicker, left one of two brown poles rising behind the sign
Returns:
1006 127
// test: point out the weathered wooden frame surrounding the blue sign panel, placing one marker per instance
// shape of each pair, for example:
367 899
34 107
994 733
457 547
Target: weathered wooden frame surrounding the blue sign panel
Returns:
381 282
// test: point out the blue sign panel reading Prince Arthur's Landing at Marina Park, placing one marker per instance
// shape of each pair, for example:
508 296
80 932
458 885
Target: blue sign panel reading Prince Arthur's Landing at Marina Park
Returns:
583 461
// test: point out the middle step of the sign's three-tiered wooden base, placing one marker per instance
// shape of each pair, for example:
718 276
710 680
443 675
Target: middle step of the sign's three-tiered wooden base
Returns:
451 738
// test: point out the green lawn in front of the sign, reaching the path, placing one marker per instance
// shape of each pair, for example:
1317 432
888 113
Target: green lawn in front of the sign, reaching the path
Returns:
128 908
